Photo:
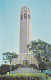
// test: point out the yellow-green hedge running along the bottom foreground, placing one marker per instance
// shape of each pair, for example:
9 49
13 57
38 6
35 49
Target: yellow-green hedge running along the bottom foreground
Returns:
25 76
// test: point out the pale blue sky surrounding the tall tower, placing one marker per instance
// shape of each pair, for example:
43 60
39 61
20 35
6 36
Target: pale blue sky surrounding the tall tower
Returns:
10 22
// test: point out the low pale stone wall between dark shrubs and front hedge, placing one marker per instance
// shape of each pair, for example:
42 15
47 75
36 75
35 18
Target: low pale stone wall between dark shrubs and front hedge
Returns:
25 70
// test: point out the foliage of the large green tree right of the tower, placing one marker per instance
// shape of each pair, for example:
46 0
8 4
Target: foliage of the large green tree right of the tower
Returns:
41 50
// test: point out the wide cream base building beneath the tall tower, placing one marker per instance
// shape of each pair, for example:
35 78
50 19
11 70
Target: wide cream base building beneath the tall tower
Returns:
25 59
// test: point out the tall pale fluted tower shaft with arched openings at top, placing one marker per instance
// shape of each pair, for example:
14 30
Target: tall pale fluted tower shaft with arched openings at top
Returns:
25 29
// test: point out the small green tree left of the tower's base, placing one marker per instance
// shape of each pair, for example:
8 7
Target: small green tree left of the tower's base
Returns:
8 56
